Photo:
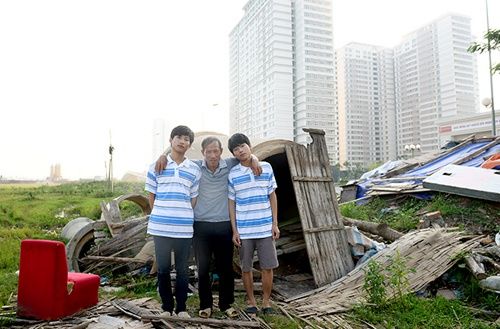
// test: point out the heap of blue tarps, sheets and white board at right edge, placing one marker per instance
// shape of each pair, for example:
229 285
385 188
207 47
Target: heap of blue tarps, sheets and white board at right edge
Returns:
469 169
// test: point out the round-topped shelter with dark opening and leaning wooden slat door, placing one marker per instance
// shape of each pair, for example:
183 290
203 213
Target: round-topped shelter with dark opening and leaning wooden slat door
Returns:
305 189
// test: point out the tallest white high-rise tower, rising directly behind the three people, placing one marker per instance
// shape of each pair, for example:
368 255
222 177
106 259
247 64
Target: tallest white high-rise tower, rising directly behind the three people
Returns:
282 69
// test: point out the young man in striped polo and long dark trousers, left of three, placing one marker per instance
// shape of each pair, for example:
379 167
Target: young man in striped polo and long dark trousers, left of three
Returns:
172 196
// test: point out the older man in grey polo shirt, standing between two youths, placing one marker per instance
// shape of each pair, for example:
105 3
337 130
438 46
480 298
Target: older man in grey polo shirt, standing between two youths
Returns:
212 228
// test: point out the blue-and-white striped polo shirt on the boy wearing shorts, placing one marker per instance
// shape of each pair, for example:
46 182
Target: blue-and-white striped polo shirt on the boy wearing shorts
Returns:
254 217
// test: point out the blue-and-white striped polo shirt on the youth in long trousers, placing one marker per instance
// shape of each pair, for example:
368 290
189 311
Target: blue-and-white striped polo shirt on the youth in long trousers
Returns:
174 187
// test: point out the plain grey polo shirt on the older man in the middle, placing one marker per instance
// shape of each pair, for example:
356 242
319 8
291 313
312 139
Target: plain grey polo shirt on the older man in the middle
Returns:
211 205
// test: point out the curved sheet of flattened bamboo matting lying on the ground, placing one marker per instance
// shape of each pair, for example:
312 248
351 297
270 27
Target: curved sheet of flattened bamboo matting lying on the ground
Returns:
431 252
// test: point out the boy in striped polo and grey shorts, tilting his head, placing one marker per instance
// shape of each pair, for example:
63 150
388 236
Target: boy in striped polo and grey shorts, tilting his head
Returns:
253 211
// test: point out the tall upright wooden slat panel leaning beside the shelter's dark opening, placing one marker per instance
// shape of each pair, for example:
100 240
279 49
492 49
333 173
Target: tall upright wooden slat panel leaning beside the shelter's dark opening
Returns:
328 250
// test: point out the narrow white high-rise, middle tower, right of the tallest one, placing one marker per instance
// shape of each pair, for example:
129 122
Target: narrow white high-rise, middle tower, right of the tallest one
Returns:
366 104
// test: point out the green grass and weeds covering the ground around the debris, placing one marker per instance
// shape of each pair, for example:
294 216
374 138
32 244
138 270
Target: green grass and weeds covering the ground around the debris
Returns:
40 211
